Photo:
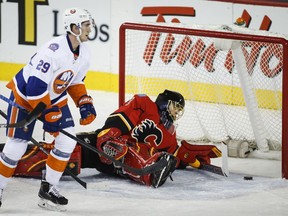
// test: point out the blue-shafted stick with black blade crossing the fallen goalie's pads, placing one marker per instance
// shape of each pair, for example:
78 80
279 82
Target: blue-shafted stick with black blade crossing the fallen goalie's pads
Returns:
138 171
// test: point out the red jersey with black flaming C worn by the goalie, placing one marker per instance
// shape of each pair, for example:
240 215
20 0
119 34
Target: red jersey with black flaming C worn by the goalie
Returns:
139 121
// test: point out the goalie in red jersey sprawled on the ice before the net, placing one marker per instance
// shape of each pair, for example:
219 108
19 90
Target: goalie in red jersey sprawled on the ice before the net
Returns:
142 132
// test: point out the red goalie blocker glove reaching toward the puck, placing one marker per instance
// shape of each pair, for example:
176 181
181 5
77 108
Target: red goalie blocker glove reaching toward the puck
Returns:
195 155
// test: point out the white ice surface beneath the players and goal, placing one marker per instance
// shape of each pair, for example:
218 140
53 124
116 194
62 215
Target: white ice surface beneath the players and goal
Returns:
192 192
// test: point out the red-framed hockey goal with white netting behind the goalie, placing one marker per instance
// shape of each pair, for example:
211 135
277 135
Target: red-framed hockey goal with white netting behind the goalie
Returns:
231 78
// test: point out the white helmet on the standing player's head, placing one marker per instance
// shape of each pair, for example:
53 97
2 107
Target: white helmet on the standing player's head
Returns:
76 16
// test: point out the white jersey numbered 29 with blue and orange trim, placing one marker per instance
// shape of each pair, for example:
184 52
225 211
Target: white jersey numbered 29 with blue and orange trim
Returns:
50 72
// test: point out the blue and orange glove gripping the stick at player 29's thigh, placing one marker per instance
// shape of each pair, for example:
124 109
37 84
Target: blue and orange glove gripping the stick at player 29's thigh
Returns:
52 120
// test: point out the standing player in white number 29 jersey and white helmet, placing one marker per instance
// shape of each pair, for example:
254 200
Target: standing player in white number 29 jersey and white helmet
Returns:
57 68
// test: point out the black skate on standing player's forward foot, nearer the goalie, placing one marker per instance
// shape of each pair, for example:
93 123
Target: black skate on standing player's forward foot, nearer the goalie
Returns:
50 198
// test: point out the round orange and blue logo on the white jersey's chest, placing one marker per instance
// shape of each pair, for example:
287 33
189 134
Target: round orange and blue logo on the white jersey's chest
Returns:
62 81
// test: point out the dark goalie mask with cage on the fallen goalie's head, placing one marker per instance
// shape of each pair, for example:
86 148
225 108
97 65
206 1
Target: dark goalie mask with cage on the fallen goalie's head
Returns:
171 107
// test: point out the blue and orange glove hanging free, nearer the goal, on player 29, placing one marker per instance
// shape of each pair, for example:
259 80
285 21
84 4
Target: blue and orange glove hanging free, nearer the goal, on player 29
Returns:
87 110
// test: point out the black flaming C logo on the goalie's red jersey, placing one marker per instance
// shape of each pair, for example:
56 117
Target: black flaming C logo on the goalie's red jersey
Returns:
148 132
